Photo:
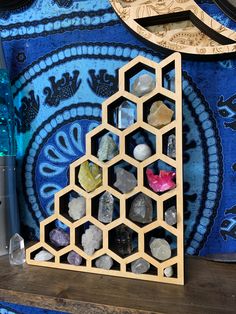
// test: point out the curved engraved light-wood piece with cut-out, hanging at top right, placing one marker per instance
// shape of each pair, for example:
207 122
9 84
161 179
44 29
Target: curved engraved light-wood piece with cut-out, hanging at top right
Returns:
179 25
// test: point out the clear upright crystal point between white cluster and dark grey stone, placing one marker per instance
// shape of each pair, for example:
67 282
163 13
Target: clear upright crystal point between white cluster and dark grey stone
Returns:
106 207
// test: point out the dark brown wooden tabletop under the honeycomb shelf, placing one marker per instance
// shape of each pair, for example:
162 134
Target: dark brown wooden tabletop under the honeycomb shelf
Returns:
210 288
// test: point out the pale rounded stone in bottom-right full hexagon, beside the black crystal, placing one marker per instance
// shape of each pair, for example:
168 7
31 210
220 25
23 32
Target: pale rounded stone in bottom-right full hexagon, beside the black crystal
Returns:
160 249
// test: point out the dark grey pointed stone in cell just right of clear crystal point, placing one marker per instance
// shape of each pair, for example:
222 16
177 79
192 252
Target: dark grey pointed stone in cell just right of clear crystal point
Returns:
141 209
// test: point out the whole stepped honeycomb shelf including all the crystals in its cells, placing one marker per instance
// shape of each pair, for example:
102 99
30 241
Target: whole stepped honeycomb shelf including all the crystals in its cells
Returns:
127 227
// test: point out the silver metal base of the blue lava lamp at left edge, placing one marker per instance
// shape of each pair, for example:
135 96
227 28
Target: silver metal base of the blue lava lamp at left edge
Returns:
9 216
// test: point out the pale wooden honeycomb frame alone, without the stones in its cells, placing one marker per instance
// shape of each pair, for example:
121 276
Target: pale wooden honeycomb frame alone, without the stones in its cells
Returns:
177 259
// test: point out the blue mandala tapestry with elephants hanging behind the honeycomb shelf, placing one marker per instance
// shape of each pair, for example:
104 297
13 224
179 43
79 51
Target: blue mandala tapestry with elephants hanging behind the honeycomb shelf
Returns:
63 57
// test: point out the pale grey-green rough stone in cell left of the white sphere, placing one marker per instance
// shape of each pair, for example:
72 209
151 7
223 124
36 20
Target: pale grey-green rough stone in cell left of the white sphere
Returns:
107 148
